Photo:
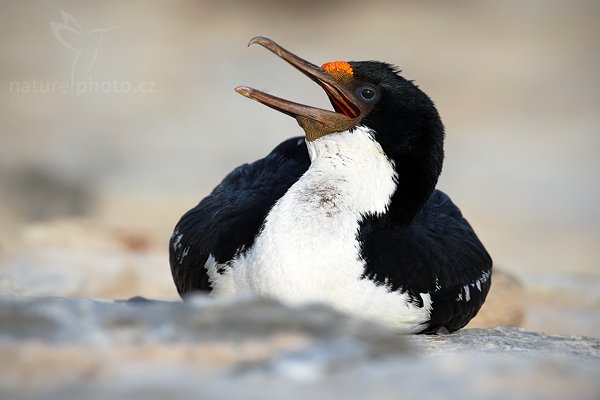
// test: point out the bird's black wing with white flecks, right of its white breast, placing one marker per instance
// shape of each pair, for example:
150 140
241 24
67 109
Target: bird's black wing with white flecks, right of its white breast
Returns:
438 253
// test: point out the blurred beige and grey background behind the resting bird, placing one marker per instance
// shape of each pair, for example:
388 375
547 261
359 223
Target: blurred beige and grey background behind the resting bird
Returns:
117 117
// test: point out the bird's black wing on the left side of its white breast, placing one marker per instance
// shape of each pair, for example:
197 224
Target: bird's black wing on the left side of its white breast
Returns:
228 219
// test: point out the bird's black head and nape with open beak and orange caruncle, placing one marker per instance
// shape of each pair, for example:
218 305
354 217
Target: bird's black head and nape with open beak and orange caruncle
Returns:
402 118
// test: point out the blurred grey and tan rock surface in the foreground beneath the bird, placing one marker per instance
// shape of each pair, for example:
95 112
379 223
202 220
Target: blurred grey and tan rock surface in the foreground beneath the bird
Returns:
252 348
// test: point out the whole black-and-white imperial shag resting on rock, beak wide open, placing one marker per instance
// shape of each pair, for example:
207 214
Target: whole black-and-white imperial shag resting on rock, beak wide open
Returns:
347 215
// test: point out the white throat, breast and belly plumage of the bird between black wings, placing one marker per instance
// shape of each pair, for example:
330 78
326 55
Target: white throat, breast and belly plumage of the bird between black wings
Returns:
307 250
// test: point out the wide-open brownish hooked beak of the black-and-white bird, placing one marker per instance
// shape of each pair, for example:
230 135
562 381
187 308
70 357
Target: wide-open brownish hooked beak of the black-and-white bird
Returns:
316 122
